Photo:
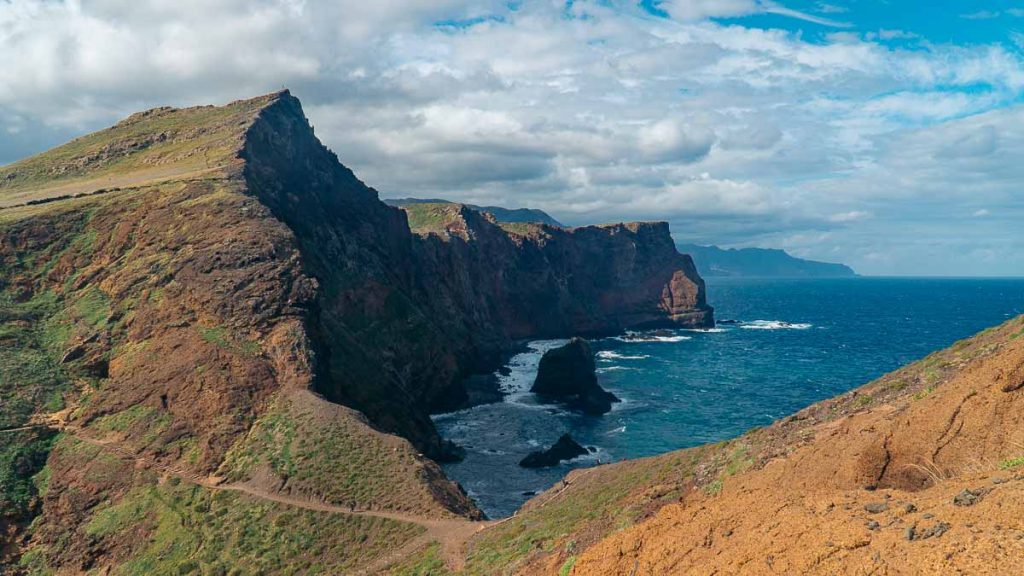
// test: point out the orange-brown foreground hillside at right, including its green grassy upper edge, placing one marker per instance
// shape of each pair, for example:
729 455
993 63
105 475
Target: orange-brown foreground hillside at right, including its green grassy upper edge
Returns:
921 472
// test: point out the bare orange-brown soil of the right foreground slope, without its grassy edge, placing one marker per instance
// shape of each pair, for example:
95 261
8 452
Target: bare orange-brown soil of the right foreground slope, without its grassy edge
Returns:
877 491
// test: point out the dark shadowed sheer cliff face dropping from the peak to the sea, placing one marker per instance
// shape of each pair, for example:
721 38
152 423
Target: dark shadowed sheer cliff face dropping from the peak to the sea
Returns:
404 317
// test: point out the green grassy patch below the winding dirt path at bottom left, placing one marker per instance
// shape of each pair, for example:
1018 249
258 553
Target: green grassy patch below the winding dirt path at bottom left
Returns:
214 532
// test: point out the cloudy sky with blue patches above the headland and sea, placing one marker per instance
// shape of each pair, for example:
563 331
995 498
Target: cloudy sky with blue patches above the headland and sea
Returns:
885 135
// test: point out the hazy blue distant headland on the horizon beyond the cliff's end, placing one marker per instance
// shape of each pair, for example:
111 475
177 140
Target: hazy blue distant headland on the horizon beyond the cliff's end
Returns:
714 262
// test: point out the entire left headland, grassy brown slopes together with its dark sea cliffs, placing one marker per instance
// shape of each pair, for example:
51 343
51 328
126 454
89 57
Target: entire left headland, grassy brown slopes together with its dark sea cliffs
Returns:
239 323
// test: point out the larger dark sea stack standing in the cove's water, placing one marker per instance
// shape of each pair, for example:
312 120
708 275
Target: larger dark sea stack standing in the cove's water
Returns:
568 375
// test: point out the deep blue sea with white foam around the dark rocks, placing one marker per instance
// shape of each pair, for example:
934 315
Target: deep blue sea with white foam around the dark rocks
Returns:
794 343
